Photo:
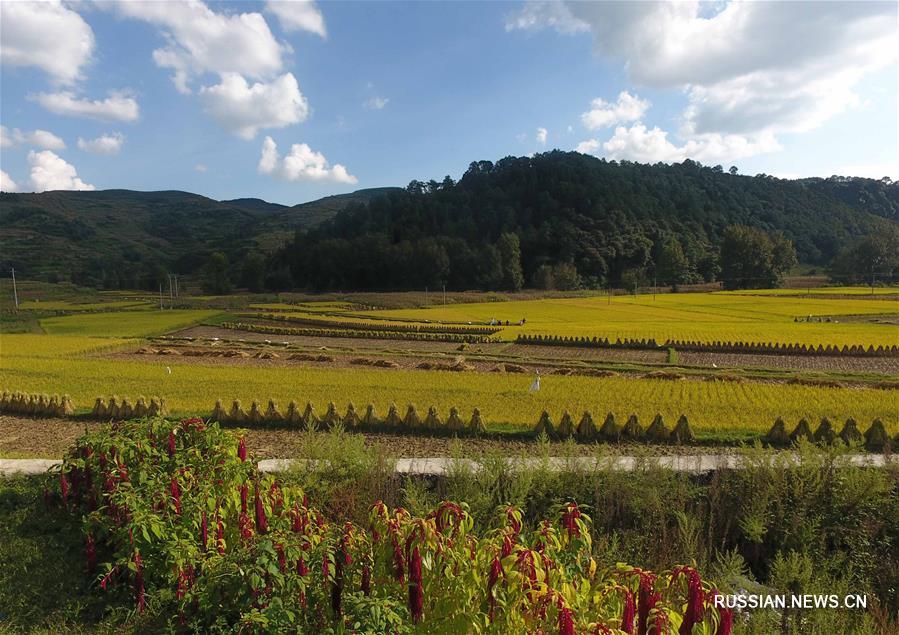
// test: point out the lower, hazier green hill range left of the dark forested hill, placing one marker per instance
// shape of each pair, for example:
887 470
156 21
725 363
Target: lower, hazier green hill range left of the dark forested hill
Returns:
129 239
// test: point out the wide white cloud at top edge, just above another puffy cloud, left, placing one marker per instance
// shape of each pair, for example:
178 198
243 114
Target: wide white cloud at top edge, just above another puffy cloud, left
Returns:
199 40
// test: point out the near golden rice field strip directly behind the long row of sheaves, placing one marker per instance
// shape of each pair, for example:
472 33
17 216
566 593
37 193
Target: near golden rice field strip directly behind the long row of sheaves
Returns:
714 408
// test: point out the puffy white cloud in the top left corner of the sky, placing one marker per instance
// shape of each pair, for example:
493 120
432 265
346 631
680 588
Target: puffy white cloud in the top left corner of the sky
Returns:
47 35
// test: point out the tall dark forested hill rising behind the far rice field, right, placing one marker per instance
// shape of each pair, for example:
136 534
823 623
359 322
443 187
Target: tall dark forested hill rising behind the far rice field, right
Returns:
606 219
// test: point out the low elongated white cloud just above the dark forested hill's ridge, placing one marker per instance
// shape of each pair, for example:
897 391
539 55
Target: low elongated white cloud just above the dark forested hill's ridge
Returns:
651 145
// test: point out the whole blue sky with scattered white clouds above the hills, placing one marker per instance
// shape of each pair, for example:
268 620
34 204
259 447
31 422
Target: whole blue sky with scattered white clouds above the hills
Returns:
292 101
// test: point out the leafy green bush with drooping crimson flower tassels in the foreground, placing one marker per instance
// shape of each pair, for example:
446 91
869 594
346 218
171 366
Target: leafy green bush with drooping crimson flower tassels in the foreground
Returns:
177 523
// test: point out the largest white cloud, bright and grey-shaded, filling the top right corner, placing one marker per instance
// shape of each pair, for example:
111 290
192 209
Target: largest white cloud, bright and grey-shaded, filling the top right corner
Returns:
747 68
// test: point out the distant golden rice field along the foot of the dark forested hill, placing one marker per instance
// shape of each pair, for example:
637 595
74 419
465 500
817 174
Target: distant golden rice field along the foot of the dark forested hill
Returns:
704 317
